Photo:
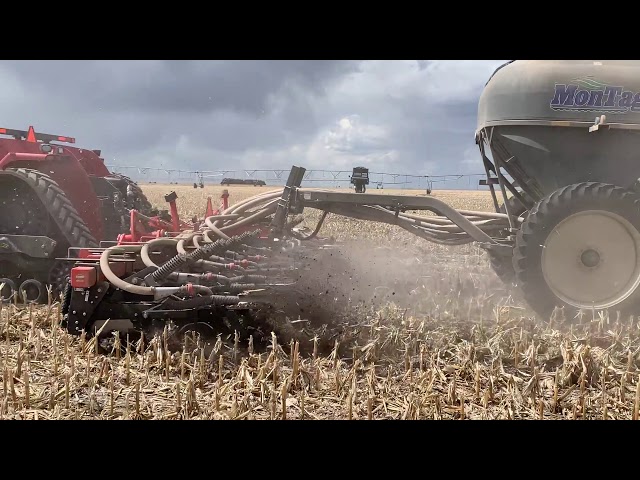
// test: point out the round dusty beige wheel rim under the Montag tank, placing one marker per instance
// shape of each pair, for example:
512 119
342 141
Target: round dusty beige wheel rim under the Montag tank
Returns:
591 259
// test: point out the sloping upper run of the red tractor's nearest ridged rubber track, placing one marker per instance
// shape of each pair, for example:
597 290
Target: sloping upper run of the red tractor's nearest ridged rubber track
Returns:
60 209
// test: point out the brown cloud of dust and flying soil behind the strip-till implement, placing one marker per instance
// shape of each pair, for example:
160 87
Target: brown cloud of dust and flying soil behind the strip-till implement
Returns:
338 287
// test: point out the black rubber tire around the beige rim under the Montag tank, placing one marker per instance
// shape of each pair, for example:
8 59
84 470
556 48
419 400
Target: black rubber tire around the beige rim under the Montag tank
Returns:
543 219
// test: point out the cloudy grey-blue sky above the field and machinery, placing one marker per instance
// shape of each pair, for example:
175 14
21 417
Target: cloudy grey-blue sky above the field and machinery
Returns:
405 116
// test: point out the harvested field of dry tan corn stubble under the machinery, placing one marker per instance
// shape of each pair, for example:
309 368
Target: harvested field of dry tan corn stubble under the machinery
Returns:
432 334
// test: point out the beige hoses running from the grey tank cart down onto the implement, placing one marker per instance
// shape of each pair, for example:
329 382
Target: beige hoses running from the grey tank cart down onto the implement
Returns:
205 258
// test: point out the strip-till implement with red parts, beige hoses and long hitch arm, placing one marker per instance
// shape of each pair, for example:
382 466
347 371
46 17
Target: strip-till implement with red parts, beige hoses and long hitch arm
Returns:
246 269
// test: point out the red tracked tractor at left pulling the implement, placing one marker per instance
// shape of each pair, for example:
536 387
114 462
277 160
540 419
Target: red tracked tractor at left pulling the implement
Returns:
54 196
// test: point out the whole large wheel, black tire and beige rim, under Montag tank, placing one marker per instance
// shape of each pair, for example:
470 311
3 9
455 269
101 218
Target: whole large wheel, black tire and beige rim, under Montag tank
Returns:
579 248
